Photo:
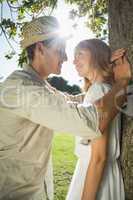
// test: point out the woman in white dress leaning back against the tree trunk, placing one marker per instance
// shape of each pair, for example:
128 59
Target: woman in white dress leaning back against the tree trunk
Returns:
97 175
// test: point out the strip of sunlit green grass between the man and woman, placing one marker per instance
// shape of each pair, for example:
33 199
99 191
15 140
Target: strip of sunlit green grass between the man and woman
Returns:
64 162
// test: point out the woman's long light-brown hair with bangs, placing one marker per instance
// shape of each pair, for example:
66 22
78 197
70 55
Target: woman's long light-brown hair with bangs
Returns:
100 58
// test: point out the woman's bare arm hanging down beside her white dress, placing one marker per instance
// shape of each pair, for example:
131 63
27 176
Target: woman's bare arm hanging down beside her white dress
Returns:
96 167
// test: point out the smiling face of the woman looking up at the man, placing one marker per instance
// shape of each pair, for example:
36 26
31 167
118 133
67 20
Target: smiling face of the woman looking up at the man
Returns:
82 62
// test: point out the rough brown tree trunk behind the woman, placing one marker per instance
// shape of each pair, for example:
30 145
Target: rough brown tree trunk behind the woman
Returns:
121 35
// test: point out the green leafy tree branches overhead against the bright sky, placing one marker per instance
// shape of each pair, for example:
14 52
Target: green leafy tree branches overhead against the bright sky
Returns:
14 13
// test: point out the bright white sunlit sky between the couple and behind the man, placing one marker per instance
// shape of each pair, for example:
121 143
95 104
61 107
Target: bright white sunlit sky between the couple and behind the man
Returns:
80 33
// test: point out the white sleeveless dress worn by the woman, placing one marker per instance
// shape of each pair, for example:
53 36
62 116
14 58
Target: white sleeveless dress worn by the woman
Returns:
111 187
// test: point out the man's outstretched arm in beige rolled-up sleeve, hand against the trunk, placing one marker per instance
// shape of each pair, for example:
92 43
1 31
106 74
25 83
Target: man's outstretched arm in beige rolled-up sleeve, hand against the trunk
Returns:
51 109
